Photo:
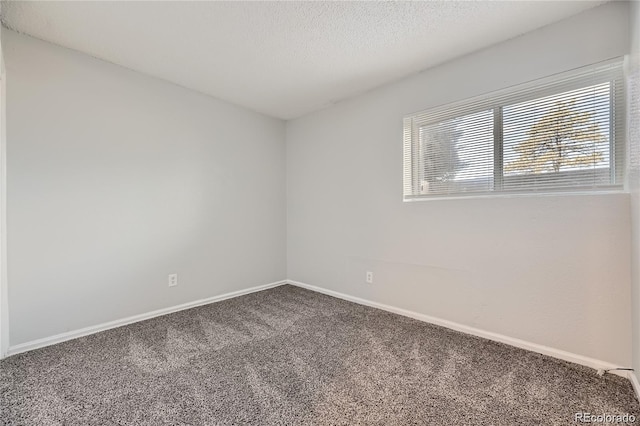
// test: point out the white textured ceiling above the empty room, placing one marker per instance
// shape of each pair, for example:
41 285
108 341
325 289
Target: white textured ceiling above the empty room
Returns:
284 59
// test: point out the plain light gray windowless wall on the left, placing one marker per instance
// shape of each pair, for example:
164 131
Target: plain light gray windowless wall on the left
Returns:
116 179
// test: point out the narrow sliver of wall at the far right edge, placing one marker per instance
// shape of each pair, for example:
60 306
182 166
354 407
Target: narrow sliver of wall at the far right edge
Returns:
634 175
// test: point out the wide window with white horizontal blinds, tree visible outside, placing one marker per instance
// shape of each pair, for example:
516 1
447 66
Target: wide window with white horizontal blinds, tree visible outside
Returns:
561 134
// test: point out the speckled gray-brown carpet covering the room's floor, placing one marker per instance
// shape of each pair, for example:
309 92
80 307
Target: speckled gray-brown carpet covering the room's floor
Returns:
292 356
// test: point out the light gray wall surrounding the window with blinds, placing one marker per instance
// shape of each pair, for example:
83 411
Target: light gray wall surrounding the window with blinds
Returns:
550 270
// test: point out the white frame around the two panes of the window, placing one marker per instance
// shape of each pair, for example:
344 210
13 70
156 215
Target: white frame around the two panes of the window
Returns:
608 71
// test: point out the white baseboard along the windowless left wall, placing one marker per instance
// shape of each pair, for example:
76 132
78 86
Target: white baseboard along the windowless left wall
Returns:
59 338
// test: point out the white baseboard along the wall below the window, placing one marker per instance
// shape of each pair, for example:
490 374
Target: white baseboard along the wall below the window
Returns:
523 344
